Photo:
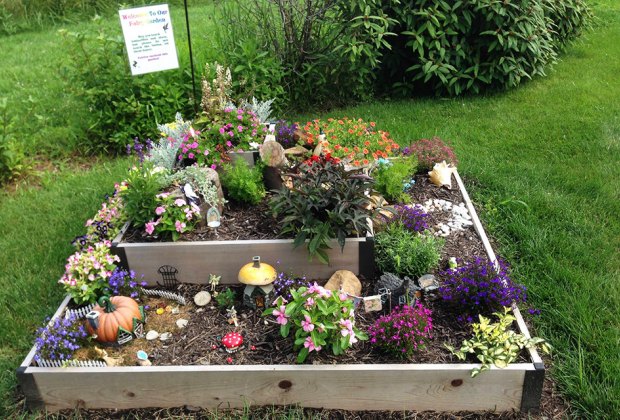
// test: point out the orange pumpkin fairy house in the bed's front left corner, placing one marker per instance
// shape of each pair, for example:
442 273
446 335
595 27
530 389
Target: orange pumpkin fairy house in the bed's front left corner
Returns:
111 314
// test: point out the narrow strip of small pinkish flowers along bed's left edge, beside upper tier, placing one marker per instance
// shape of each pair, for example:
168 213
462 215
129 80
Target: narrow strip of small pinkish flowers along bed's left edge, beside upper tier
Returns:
108 221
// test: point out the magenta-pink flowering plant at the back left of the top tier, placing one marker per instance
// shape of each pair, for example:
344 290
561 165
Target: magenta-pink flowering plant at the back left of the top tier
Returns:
236 130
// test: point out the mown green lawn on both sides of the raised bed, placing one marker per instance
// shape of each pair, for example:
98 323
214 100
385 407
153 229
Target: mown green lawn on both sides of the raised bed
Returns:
542 162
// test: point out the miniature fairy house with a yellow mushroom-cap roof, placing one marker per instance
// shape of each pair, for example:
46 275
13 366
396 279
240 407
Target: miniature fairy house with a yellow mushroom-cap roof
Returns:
258 278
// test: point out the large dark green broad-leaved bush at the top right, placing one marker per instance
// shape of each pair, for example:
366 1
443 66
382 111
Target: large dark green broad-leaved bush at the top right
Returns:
473 45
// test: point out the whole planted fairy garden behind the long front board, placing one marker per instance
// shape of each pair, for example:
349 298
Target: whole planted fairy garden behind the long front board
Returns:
428 291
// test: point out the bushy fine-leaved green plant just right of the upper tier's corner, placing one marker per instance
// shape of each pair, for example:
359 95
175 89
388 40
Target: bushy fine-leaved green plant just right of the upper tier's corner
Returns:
405 253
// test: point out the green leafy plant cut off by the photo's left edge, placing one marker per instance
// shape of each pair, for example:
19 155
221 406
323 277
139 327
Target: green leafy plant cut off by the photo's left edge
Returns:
12 159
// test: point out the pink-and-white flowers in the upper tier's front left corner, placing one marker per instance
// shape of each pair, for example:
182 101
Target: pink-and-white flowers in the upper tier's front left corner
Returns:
175 216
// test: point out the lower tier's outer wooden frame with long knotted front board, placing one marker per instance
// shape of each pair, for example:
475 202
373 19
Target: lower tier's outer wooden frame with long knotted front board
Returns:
441 387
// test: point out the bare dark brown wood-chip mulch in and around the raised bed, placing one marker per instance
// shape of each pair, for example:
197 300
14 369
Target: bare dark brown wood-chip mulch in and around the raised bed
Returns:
199 342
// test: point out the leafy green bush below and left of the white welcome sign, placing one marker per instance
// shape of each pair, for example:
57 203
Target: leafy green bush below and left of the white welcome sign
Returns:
121 107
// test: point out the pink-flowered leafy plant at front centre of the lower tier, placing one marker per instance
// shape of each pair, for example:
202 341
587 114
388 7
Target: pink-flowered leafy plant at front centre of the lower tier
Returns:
319 318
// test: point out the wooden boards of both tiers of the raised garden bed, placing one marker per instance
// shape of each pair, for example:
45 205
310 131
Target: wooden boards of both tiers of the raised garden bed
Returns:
436 386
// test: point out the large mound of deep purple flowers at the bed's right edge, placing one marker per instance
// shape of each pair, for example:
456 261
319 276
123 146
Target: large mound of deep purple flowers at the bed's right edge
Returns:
475 287
